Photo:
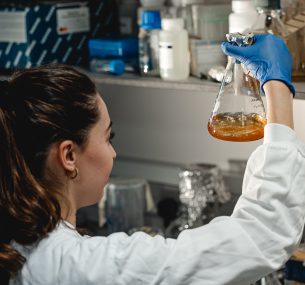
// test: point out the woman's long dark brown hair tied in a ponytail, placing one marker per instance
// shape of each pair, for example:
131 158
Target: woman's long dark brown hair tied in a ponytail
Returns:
38 107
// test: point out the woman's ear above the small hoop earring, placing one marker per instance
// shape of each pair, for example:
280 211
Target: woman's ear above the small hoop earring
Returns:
67 155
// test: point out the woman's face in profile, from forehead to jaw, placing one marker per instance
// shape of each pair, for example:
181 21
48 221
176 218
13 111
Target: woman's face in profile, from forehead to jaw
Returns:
95 161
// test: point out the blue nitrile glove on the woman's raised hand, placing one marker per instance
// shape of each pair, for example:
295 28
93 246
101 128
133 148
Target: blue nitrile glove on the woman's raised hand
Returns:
267 58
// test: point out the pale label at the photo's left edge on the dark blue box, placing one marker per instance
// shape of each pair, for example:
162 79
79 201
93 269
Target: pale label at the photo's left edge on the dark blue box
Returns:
13 27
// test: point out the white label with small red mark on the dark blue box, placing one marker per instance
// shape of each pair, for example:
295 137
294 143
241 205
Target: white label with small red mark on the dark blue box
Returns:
73 20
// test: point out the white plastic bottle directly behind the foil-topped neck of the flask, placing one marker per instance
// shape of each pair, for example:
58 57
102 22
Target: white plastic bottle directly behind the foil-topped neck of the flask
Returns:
244 16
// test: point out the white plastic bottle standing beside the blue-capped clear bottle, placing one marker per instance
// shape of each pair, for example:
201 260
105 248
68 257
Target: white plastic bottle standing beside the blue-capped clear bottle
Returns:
174 50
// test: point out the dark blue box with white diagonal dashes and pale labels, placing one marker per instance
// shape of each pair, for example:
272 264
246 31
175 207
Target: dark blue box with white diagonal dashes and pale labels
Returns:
47 32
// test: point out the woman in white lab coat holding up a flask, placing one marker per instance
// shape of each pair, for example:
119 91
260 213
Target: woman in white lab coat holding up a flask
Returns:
56 156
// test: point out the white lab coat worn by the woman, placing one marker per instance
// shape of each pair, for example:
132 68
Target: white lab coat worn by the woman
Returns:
258 238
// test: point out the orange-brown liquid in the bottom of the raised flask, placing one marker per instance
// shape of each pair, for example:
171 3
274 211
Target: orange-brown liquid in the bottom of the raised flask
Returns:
237 127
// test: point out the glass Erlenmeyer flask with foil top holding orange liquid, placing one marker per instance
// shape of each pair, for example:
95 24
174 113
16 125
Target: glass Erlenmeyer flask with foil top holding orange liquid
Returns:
239 113
